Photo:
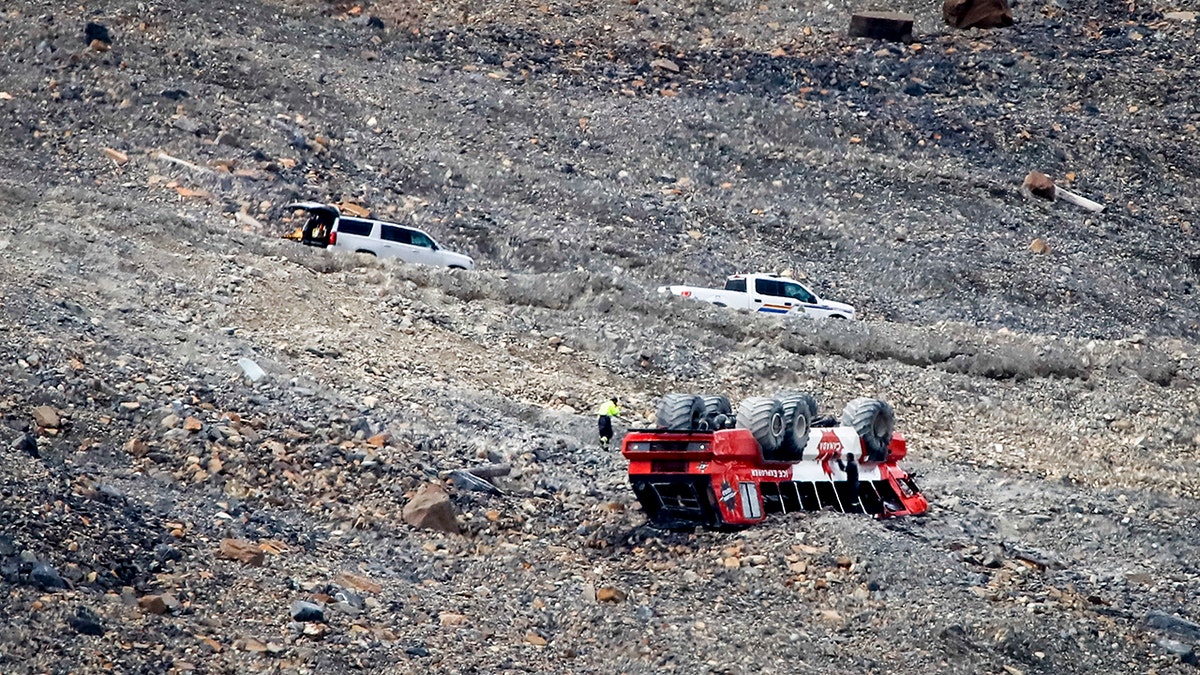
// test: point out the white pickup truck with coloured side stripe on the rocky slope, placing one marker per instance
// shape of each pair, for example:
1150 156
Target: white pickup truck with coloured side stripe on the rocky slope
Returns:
767 294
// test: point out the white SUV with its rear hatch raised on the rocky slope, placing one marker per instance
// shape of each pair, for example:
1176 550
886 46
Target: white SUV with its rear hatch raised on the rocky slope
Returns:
328 228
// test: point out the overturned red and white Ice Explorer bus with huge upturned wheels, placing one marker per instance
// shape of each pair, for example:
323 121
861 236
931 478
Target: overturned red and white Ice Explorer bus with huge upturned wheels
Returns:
729 477
